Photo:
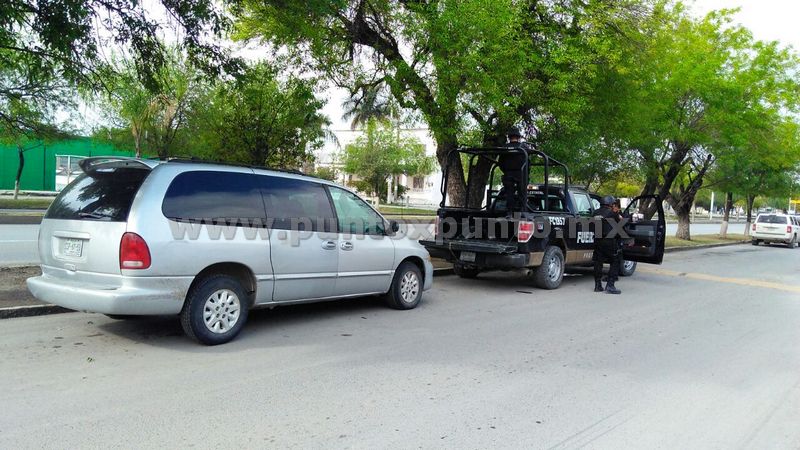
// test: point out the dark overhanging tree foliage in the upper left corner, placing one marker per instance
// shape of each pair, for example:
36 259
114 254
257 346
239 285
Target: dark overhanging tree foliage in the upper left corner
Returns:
67 39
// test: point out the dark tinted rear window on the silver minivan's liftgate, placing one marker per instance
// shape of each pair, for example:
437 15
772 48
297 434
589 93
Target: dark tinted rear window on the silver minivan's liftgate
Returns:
104 195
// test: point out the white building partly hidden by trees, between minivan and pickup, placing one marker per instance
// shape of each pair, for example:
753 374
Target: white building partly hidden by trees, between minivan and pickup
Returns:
421 190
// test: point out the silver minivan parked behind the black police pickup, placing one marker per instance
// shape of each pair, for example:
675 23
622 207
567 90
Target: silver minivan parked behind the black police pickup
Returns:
208 242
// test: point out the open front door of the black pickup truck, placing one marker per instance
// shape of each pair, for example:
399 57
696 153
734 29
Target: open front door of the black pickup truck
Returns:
646 228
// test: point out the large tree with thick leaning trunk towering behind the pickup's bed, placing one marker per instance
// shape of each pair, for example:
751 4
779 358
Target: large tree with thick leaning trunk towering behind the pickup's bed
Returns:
461 65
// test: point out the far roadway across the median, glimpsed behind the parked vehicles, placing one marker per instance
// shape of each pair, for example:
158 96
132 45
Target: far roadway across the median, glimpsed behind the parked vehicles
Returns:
18 242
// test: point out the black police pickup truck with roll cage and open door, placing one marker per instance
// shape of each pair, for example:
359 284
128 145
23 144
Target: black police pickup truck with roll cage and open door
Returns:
551 230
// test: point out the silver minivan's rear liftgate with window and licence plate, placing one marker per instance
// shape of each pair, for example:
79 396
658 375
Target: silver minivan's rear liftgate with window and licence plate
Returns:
89 217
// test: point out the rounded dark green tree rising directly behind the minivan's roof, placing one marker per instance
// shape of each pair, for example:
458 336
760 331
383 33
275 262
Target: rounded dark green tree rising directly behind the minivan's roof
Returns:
260 119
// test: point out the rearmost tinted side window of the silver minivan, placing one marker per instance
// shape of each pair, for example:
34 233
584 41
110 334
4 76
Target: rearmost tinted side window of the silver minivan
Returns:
207 195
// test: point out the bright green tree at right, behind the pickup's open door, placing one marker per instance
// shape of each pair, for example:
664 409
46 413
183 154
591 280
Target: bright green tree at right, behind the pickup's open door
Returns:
697 89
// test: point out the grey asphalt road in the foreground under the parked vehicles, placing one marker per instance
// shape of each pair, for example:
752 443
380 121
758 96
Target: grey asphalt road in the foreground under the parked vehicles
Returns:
701 352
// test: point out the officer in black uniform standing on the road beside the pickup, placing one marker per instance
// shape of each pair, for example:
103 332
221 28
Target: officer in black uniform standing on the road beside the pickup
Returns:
607 248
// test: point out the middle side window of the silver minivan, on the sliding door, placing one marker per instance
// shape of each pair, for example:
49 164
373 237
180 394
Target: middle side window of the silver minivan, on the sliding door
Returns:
294 204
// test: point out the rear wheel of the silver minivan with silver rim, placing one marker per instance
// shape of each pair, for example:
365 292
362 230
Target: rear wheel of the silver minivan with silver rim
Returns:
215 310
